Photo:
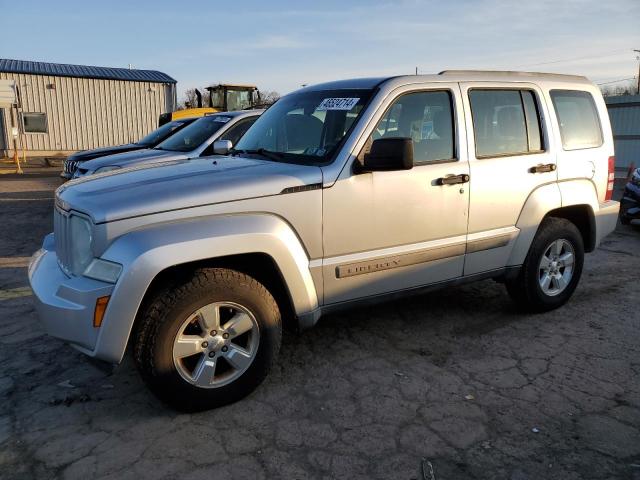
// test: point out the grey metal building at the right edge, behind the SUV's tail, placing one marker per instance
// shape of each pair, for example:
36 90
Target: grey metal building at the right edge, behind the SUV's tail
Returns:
624 112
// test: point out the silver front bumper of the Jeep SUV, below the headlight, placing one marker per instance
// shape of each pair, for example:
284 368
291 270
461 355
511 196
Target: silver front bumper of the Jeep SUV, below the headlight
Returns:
65 304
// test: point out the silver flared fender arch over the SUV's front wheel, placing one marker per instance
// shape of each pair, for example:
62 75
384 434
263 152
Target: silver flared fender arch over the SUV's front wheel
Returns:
145 253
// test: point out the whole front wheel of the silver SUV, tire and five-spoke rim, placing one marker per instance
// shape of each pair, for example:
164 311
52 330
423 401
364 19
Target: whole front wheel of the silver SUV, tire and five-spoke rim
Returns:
209 341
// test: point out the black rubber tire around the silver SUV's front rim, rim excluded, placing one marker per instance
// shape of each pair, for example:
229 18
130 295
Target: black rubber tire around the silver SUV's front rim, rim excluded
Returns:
164 315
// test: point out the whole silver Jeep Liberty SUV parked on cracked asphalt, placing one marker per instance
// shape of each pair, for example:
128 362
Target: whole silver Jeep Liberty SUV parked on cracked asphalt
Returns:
346 192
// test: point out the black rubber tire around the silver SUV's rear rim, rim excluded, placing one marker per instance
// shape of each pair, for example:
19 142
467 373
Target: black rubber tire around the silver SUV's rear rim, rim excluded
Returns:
525 289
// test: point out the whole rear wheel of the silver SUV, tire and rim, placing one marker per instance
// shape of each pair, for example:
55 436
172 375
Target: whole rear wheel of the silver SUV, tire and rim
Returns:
552 269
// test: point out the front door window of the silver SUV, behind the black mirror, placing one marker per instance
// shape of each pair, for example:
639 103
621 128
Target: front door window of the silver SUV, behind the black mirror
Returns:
424 117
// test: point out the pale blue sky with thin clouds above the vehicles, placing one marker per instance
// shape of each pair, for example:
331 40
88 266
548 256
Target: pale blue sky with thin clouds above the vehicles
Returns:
281 44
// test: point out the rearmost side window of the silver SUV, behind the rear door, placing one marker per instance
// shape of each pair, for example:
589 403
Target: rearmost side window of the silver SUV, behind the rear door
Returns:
578 119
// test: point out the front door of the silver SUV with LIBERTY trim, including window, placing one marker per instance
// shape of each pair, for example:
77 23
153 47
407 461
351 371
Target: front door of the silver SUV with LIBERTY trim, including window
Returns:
388 231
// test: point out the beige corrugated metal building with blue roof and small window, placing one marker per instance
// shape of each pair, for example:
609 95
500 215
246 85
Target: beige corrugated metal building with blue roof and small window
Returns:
65 108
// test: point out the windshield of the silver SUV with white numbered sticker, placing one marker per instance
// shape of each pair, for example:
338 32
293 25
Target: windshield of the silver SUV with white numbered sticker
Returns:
306 127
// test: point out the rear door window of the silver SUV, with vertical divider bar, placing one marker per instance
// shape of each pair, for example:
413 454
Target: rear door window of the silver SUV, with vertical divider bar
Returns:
505 122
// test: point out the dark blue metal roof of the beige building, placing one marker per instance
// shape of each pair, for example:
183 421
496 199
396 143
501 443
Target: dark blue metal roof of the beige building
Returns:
83 71
